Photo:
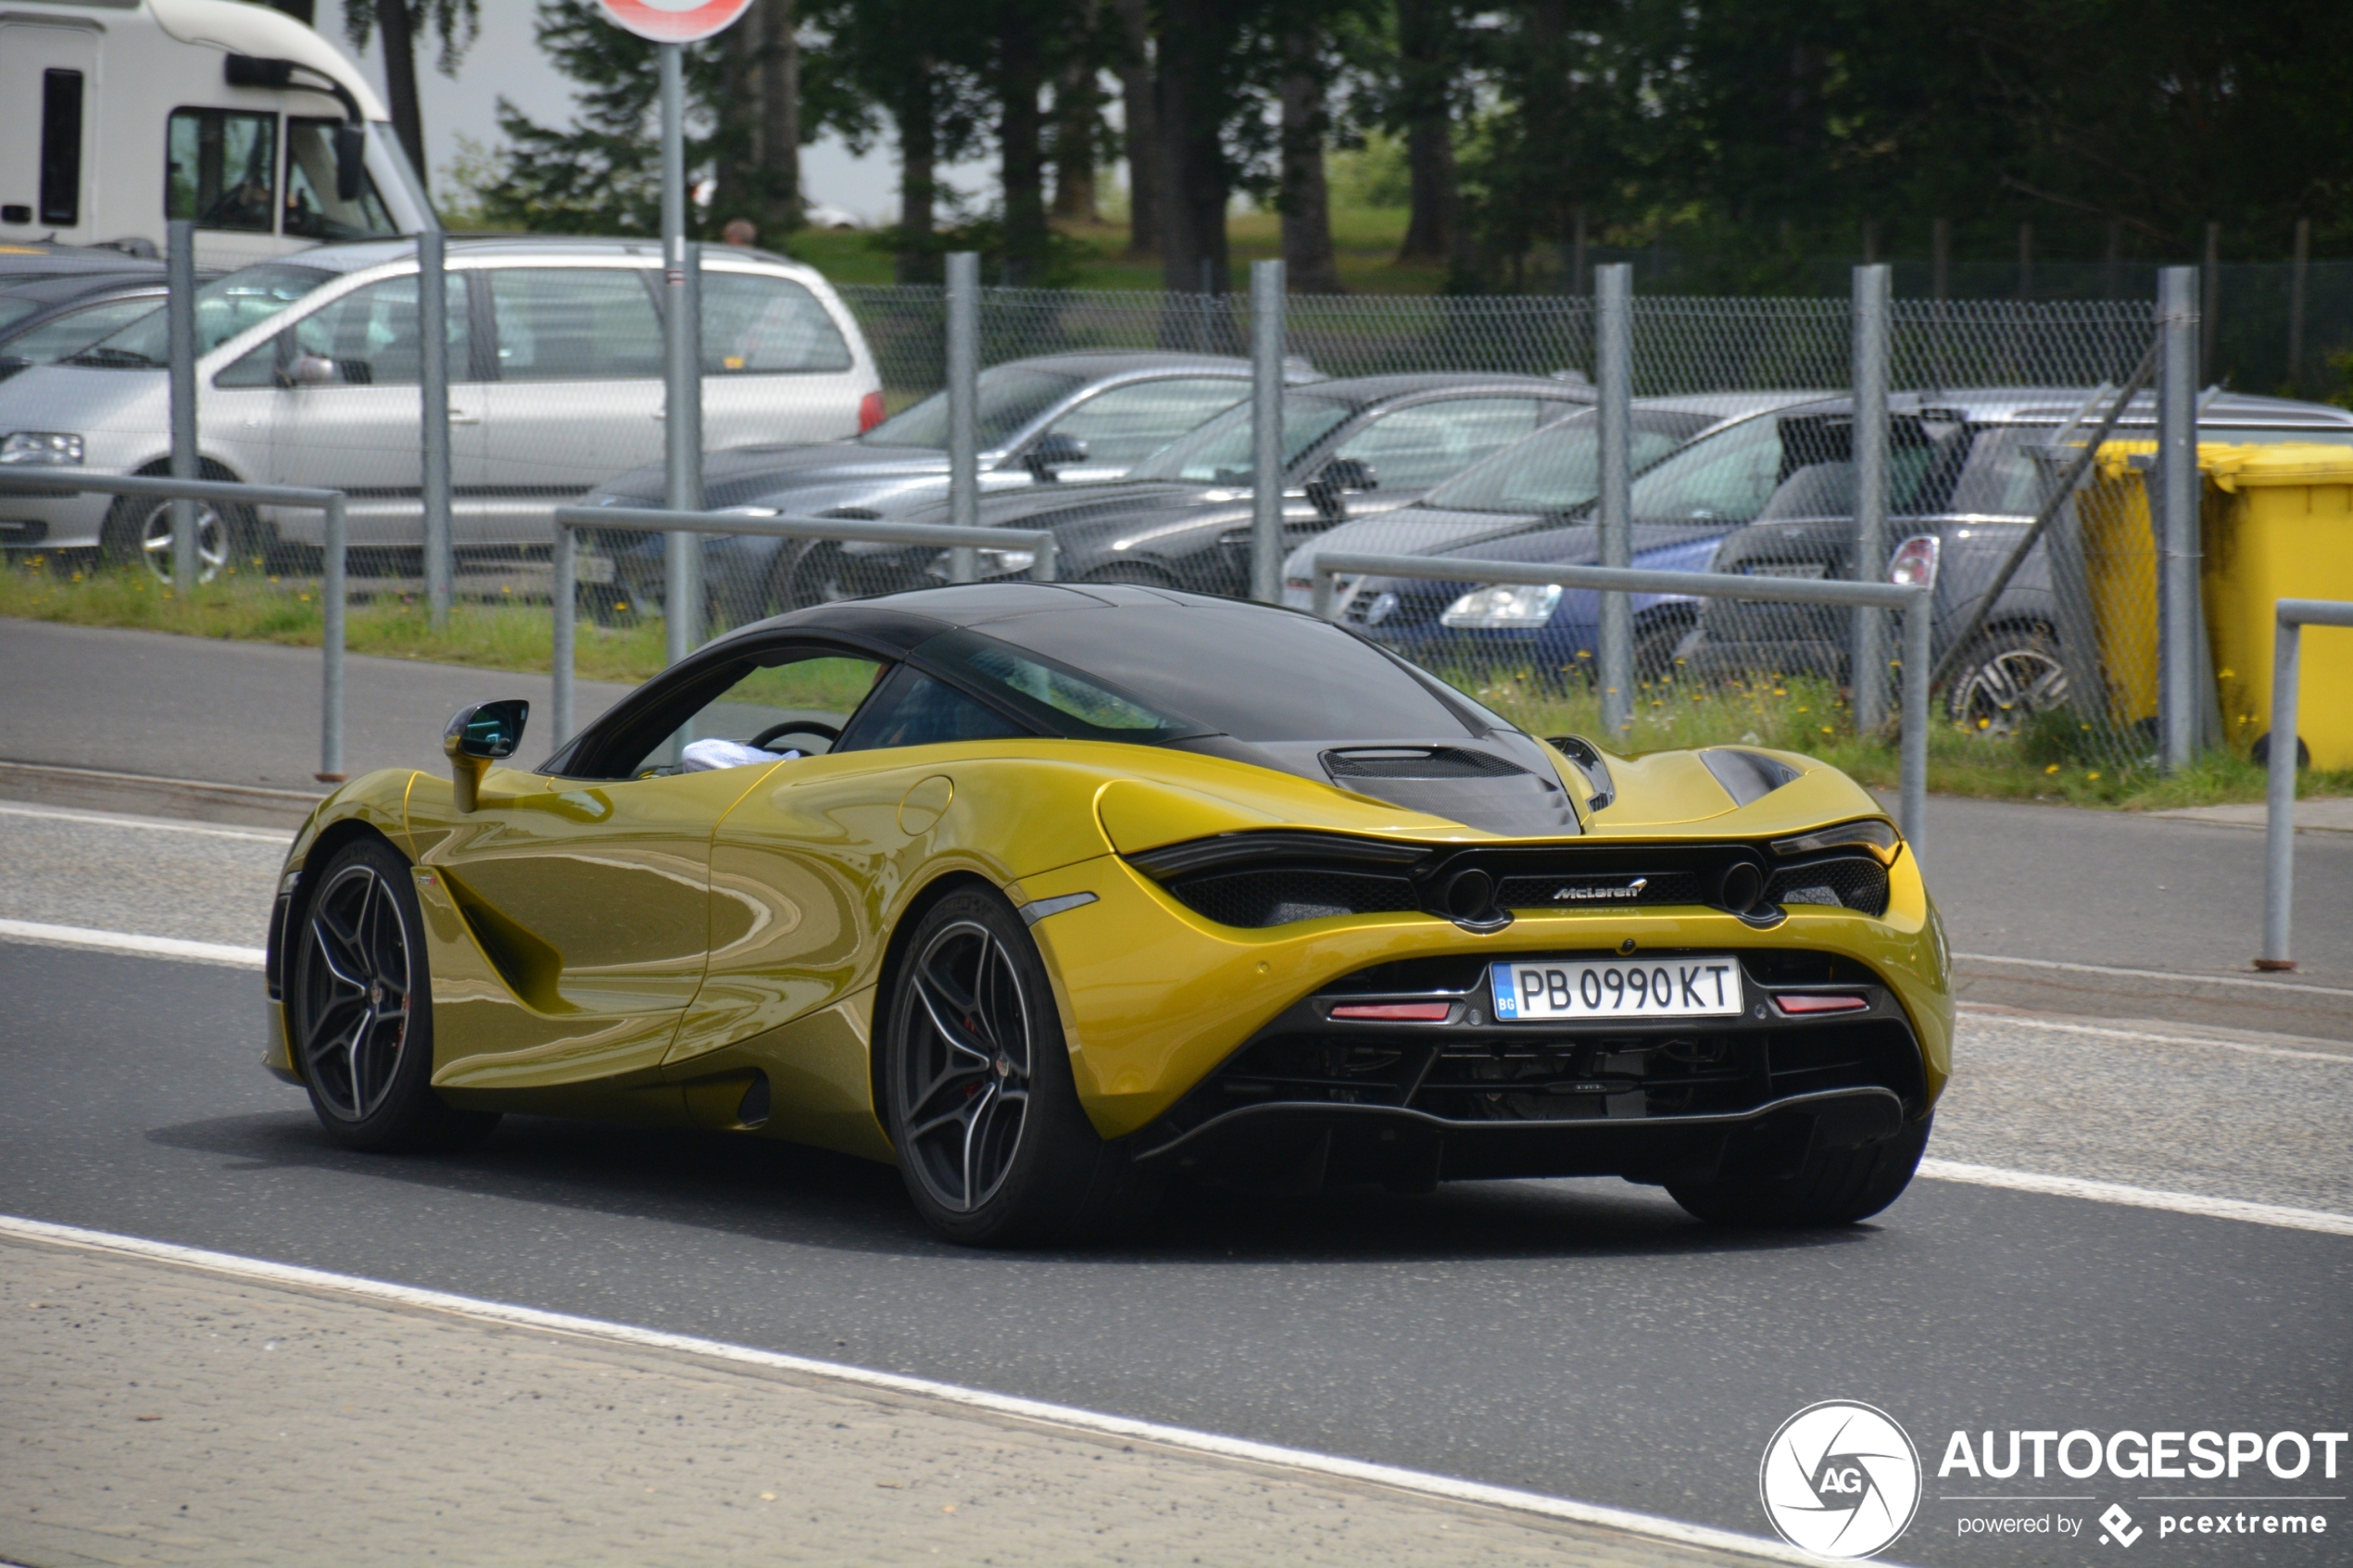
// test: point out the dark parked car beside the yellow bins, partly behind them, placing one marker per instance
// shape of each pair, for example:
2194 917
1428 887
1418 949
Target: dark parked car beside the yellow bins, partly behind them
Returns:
1966 488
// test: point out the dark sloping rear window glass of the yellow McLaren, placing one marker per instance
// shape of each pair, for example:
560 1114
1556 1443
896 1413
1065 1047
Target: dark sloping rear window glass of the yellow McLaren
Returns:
1211 669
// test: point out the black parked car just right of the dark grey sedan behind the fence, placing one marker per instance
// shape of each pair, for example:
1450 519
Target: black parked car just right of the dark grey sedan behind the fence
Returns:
1349 448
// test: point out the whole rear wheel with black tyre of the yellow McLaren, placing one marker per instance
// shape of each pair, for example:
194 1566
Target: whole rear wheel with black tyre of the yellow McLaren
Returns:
978 1090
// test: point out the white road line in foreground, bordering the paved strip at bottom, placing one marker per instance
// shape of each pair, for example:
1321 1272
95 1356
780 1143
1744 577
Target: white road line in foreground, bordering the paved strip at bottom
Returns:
947 1393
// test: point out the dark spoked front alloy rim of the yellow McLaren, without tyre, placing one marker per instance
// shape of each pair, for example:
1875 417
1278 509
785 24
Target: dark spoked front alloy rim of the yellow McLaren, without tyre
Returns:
356 993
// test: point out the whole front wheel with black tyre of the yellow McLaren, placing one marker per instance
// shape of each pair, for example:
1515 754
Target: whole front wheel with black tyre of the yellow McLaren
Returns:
361 1010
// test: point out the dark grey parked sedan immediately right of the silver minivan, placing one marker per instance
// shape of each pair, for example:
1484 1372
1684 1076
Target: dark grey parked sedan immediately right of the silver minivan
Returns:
1044 424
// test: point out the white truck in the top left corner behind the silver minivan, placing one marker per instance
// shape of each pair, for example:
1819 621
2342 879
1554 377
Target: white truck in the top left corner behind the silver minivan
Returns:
124 114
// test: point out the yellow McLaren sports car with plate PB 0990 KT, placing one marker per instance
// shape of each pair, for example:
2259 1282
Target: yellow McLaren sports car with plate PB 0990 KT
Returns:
1053 897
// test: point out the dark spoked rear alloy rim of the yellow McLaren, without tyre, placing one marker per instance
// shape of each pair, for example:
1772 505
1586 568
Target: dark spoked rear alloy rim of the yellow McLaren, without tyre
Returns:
964 1068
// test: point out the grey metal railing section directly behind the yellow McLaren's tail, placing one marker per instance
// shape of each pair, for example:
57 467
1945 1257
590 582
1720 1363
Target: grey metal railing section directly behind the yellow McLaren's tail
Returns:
1914 603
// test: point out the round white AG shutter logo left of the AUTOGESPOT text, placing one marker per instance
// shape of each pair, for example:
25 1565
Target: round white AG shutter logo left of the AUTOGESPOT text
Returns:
1841 1480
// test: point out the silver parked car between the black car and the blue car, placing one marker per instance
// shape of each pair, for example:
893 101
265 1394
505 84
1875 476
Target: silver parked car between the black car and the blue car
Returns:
1540 483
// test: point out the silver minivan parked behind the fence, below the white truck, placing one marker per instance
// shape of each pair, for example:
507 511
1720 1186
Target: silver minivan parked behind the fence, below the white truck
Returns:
307 375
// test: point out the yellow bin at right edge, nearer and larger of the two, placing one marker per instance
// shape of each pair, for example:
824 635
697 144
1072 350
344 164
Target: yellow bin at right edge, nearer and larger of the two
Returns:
2279 525
